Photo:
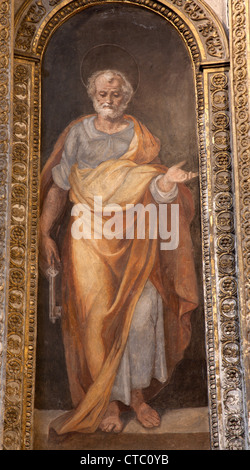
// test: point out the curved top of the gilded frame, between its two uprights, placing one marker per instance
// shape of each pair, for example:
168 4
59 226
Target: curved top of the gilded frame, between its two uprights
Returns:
194 19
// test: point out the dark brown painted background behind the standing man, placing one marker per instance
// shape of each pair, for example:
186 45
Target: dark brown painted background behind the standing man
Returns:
165 103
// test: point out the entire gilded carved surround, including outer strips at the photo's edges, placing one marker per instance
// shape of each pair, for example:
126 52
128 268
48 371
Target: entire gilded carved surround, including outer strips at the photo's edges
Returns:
221 78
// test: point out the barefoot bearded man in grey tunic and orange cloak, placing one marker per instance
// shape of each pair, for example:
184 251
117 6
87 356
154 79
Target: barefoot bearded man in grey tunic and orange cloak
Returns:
126 305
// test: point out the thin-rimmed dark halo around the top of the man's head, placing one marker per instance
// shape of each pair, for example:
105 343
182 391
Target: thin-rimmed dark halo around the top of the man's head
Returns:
112 57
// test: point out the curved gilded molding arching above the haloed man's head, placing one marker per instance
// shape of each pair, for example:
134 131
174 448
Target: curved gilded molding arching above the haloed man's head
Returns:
197 15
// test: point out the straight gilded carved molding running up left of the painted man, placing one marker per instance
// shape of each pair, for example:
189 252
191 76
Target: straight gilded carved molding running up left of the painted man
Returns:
21 328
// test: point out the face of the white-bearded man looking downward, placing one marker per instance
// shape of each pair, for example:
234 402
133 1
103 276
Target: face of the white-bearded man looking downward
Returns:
109 97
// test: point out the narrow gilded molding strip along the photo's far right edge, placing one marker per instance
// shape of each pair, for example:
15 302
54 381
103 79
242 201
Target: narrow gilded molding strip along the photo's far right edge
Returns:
240 52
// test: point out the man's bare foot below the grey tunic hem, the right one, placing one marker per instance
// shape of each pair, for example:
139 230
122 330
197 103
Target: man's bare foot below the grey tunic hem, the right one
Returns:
148 417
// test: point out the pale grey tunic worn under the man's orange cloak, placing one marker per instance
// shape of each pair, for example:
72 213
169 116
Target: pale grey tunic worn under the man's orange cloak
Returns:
144 354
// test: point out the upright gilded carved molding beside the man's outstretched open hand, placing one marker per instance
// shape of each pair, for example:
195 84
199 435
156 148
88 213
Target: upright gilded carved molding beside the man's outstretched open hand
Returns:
231 377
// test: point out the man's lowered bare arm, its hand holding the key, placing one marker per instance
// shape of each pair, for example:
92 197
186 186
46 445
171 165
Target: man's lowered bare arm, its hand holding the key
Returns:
53 207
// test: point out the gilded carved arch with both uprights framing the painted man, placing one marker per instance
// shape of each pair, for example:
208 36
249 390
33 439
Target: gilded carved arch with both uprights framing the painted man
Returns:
207 45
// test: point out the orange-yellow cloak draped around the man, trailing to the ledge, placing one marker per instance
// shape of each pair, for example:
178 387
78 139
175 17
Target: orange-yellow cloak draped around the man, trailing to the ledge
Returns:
102 279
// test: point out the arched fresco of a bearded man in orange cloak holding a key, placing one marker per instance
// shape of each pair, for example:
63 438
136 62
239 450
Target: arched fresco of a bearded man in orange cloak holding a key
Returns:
120 309
